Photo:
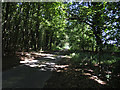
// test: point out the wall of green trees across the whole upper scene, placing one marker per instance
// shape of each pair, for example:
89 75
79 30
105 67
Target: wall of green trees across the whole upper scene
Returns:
49 26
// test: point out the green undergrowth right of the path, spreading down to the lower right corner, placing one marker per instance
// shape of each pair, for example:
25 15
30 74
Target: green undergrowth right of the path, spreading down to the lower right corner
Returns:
106 66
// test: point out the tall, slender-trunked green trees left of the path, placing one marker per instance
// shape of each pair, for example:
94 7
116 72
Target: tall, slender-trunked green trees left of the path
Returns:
32 26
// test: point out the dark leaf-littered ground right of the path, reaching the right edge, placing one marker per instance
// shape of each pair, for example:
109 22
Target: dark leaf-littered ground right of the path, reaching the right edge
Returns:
86 75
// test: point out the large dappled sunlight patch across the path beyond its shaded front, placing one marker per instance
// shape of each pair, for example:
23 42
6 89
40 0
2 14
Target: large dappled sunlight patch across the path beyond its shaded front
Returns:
43 61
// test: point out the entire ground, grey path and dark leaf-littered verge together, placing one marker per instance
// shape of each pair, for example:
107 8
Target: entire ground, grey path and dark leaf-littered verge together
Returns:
56 70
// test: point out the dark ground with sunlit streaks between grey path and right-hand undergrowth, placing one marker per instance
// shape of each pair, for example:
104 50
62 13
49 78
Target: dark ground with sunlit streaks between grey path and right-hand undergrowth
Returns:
74 77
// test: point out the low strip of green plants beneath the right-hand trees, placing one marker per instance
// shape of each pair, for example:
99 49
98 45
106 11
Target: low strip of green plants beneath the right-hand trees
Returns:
94 58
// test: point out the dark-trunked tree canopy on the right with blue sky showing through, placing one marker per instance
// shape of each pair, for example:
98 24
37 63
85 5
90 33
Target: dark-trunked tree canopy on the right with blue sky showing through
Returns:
99 18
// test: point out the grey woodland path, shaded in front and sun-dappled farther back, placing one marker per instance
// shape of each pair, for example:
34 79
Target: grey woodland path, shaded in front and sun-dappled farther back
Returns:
32 73
